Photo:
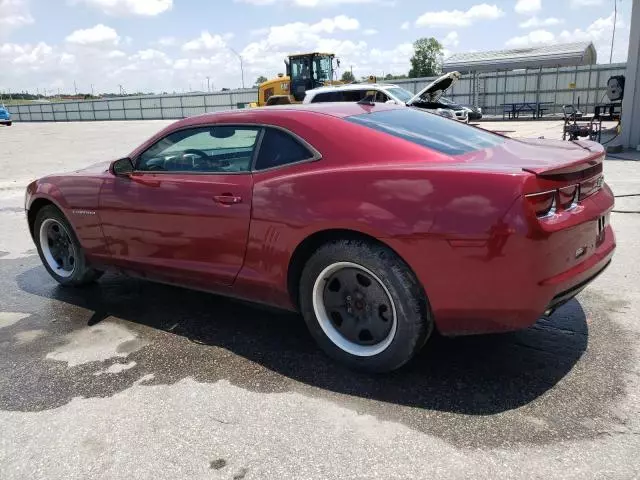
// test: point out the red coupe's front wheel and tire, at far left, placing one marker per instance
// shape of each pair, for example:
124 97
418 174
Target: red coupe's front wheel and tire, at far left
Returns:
60 250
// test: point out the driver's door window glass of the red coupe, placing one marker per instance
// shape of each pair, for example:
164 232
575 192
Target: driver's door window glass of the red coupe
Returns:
214 149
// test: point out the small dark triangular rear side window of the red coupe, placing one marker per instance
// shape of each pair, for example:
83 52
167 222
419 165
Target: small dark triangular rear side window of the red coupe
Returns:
279 148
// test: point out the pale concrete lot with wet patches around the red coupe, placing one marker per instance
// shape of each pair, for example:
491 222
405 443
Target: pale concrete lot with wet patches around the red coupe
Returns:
129 379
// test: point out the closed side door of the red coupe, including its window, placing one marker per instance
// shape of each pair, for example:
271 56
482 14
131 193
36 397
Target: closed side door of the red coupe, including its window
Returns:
183 214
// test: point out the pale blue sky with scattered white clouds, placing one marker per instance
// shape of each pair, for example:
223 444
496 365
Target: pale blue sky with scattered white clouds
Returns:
174 45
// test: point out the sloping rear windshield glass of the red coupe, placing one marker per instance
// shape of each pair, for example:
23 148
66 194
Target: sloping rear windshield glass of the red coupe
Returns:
429 130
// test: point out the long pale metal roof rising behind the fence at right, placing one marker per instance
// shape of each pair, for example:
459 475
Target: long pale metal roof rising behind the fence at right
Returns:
560 55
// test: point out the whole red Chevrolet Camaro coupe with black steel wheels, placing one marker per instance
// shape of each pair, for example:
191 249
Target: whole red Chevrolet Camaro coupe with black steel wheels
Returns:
378 223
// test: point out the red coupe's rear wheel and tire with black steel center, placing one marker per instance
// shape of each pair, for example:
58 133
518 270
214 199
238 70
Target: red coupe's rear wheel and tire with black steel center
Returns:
364 306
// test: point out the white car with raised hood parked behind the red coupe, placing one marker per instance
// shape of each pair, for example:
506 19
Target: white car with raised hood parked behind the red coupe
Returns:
428 98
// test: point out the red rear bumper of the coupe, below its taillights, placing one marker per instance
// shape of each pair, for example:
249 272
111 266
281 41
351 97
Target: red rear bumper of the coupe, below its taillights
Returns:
508 279
